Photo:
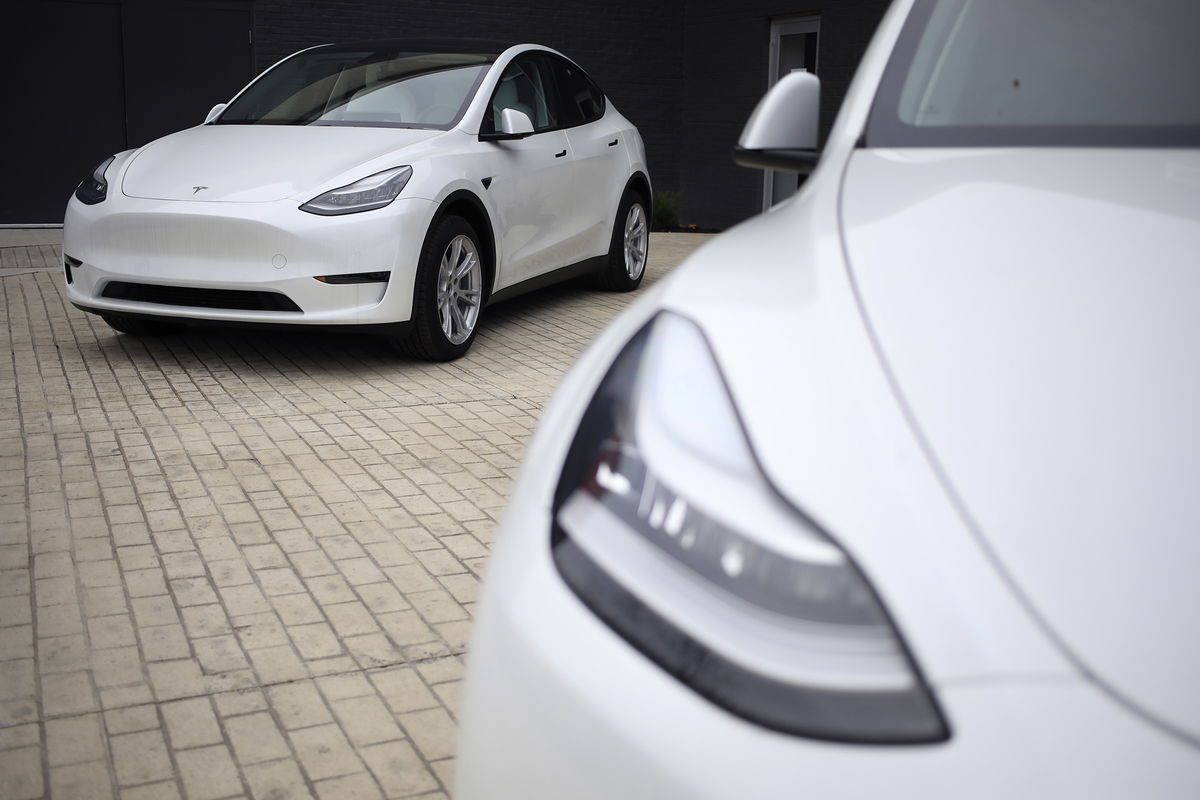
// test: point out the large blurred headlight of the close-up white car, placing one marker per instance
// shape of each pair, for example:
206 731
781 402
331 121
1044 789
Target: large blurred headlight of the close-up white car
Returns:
667 528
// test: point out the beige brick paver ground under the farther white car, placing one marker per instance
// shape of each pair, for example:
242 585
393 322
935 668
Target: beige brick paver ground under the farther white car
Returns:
245 566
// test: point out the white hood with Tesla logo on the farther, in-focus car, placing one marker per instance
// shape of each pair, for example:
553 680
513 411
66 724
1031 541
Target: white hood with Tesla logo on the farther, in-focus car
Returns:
257 164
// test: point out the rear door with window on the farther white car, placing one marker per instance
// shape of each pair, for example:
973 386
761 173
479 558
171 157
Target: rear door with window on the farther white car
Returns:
601 165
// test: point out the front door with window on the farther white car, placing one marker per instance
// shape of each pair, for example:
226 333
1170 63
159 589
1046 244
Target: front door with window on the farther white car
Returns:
531 184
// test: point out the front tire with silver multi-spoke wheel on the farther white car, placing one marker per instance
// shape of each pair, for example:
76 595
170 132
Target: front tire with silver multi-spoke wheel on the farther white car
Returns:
448 299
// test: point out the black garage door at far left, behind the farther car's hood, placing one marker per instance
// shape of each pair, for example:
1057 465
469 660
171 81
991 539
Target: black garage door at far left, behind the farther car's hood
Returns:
89 80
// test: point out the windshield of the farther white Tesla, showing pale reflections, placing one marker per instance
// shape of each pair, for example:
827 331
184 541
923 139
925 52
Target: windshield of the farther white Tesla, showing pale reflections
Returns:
362 88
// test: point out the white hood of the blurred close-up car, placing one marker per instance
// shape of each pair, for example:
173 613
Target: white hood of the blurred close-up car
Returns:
1040 315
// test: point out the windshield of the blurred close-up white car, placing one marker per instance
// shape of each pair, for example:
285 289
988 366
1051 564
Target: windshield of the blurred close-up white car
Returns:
1030 73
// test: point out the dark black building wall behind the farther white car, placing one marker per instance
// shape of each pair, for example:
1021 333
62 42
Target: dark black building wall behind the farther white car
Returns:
101 76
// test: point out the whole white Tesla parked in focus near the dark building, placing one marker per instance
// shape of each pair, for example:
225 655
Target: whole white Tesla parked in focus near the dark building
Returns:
398 188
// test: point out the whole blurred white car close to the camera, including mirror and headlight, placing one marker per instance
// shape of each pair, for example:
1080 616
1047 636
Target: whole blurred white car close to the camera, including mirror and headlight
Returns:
892 491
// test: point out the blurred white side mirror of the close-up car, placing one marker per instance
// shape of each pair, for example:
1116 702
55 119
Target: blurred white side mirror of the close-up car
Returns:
783 131
